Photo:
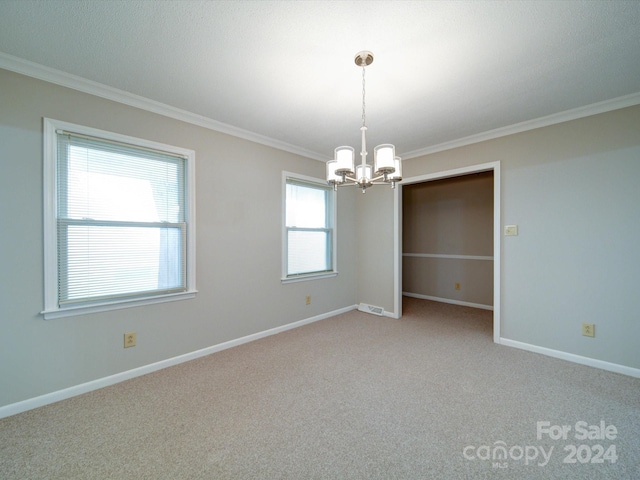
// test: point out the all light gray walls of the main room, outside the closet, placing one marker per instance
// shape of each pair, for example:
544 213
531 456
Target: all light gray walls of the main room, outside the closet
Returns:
571 188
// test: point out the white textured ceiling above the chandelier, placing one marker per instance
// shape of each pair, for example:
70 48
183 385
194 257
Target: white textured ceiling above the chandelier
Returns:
283 71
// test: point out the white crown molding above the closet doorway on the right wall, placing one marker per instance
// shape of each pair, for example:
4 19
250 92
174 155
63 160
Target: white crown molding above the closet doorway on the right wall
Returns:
567 115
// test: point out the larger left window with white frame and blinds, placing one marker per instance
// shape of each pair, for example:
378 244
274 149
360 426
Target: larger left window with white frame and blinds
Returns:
119 226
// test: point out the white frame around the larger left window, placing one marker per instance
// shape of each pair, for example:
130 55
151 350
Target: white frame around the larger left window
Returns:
52 309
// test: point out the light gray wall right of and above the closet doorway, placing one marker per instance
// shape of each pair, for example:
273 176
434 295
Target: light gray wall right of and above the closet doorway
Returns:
572 189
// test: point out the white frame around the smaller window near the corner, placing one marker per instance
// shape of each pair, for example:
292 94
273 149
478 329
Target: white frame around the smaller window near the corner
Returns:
334 218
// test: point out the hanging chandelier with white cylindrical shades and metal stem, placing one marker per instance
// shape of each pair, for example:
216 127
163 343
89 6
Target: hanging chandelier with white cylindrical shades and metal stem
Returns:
387 168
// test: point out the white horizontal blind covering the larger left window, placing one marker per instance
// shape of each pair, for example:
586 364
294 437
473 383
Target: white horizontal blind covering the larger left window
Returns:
121 228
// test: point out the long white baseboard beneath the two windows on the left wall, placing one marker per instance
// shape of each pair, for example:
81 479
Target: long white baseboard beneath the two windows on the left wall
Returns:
42 400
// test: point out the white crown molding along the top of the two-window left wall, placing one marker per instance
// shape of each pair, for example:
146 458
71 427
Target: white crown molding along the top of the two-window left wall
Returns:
51 75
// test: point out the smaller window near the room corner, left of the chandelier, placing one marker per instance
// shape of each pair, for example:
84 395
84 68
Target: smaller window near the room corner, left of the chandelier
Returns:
309 237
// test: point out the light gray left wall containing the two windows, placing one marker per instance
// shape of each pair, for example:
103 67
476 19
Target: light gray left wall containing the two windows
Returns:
238 249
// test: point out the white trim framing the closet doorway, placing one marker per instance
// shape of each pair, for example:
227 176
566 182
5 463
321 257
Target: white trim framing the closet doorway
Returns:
497 237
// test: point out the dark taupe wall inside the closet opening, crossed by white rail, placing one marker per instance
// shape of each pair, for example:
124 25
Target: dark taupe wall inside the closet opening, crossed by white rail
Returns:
451 216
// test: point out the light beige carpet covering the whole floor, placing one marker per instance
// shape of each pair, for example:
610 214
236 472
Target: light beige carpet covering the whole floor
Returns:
355 396
